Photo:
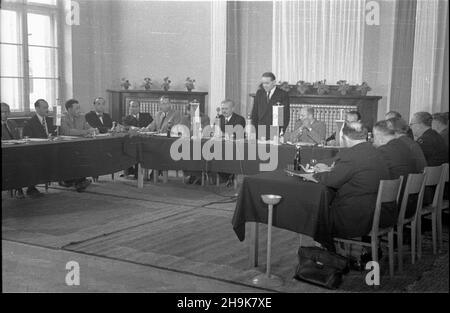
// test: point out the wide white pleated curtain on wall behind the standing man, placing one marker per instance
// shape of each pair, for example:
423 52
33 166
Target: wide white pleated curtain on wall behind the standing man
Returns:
318 39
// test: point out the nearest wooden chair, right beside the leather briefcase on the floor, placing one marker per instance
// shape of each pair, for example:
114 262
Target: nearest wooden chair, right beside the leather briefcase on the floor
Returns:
388 191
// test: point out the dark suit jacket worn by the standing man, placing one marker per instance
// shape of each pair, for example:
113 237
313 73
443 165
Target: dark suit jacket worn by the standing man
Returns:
262 110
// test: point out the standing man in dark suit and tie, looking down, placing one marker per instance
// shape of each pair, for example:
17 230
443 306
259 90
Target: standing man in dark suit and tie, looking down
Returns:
266 97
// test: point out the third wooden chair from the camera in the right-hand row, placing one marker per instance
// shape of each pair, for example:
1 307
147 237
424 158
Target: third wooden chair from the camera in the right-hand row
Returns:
434 177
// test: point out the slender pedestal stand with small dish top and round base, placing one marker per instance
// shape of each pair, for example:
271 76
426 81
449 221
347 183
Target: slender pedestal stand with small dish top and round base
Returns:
266 279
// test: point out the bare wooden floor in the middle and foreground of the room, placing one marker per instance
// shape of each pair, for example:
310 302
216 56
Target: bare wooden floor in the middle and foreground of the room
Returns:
165 237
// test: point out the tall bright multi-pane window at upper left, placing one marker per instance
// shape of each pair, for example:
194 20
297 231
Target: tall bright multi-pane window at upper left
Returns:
29 53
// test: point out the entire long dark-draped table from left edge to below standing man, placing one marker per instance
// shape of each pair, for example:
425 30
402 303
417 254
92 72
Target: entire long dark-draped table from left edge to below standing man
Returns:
42 161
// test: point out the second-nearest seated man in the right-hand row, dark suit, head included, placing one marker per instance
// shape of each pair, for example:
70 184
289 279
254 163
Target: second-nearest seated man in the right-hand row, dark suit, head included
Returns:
395 152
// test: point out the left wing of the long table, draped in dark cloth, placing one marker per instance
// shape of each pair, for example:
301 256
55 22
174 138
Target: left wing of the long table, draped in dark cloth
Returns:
41 162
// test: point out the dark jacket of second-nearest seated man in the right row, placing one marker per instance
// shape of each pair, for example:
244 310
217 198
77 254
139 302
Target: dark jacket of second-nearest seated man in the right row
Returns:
398 158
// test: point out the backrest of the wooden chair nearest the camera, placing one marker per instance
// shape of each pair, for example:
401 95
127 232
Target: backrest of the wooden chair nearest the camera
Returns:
388 191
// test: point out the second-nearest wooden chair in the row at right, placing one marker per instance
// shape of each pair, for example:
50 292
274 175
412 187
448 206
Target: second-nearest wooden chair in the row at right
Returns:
414 185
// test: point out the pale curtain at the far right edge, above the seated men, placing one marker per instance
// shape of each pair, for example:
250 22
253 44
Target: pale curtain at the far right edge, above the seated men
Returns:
430 70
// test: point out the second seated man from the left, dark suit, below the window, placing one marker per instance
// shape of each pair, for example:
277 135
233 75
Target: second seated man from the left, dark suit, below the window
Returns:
39 126
